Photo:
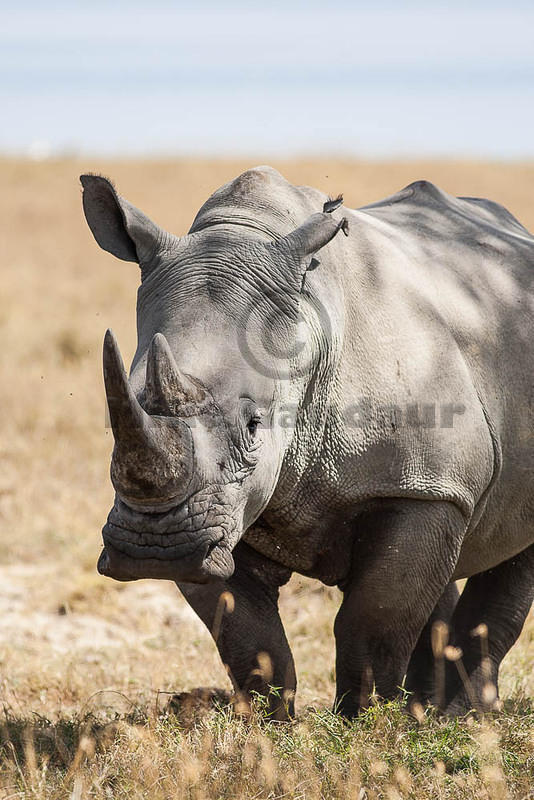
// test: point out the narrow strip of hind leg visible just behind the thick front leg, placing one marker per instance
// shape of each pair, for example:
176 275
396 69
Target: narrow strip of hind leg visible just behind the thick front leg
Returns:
424 679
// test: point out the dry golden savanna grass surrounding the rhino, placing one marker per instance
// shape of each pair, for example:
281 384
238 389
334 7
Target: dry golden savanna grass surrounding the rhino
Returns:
87 664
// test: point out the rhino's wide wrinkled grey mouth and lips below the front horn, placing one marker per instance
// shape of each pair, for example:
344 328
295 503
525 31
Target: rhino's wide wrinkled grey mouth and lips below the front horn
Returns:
151 545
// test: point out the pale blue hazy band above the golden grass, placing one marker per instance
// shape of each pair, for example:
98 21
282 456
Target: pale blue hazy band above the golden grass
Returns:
379 80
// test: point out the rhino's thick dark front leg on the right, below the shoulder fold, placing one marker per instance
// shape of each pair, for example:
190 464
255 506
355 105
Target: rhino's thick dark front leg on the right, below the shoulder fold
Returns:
404 557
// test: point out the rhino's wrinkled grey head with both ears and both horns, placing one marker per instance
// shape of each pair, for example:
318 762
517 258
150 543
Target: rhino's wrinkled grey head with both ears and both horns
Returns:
196 456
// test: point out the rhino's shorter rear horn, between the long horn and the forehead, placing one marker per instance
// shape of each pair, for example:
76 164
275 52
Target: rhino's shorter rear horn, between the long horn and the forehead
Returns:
168 390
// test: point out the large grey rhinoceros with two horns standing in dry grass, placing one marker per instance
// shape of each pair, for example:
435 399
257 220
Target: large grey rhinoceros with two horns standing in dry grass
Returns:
358 409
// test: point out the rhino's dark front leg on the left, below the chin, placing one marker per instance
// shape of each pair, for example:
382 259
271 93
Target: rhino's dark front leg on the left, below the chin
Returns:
247 629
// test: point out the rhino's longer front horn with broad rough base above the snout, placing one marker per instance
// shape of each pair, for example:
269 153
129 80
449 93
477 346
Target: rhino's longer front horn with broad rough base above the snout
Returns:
152 460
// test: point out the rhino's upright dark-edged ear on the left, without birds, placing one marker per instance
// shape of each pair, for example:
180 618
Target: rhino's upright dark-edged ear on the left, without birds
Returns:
117 226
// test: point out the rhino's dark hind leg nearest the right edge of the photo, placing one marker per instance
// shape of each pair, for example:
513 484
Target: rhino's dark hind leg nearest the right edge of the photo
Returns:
486 623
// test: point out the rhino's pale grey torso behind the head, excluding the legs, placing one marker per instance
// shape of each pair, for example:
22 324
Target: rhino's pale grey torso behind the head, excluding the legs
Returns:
431 307
